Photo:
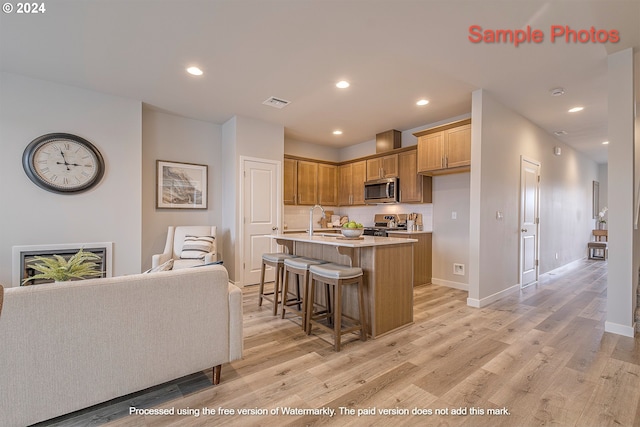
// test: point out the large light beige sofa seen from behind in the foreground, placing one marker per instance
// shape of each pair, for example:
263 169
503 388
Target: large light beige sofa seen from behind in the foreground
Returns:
67 346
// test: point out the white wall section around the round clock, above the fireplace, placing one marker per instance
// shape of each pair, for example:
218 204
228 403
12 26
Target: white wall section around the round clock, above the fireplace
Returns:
109 212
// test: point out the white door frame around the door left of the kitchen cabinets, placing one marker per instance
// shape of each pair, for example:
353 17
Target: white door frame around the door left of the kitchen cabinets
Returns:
242 207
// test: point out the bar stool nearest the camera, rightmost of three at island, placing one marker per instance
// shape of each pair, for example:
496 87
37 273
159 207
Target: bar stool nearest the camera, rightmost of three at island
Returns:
336 276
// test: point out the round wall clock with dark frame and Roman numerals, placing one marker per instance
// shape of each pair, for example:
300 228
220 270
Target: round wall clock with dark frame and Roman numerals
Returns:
63 163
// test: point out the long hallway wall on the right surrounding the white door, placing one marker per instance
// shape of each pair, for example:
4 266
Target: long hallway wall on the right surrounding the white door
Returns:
499 137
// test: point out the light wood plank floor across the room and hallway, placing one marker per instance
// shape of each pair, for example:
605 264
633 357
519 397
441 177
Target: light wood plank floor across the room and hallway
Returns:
540 356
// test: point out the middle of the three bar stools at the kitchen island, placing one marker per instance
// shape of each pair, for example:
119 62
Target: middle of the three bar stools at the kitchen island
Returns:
300 267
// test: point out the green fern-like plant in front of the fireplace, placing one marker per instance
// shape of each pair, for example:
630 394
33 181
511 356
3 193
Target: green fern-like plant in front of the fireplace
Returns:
81 265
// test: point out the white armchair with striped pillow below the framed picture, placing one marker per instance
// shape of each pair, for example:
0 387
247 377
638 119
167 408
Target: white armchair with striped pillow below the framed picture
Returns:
175 240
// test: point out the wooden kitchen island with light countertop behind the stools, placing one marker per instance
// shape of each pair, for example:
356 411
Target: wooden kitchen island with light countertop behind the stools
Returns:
387 264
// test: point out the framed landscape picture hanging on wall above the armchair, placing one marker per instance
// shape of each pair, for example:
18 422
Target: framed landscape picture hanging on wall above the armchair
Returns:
181 185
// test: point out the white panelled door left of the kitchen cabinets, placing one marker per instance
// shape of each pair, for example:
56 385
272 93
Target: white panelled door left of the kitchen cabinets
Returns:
261 215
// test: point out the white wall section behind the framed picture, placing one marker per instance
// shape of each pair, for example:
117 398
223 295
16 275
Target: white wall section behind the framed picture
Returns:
174 138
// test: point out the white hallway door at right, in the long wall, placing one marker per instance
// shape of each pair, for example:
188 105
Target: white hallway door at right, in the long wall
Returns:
529 220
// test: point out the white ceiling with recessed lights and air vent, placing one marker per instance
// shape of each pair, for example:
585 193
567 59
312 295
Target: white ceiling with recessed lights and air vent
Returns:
393 52
